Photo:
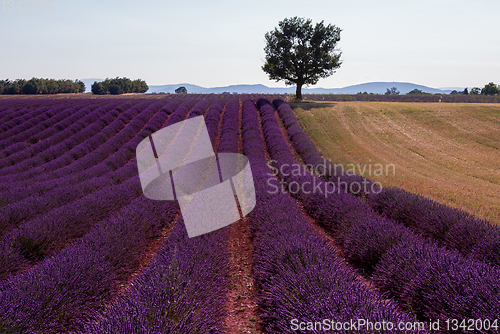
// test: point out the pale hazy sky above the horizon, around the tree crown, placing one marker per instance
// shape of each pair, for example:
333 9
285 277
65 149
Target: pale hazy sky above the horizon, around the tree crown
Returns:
434 43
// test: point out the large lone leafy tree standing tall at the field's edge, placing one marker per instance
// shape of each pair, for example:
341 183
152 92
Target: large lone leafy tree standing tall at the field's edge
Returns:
301 54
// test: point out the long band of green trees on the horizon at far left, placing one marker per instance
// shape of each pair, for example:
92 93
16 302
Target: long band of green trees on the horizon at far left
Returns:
41 86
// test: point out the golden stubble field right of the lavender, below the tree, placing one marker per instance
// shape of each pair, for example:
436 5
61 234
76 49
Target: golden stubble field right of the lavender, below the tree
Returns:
446 152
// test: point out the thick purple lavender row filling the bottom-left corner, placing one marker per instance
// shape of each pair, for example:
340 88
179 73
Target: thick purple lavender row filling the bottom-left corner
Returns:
64 289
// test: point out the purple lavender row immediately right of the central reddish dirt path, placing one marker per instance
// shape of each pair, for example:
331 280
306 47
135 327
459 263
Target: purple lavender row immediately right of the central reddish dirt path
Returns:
298 275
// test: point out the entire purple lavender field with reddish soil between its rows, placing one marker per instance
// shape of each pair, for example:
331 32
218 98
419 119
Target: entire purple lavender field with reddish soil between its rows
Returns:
82 250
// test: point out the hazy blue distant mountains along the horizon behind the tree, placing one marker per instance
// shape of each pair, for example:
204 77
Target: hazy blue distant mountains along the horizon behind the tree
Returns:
369 87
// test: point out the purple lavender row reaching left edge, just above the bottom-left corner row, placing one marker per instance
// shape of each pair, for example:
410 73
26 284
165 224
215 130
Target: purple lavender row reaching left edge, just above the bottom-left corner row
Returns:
44 235
